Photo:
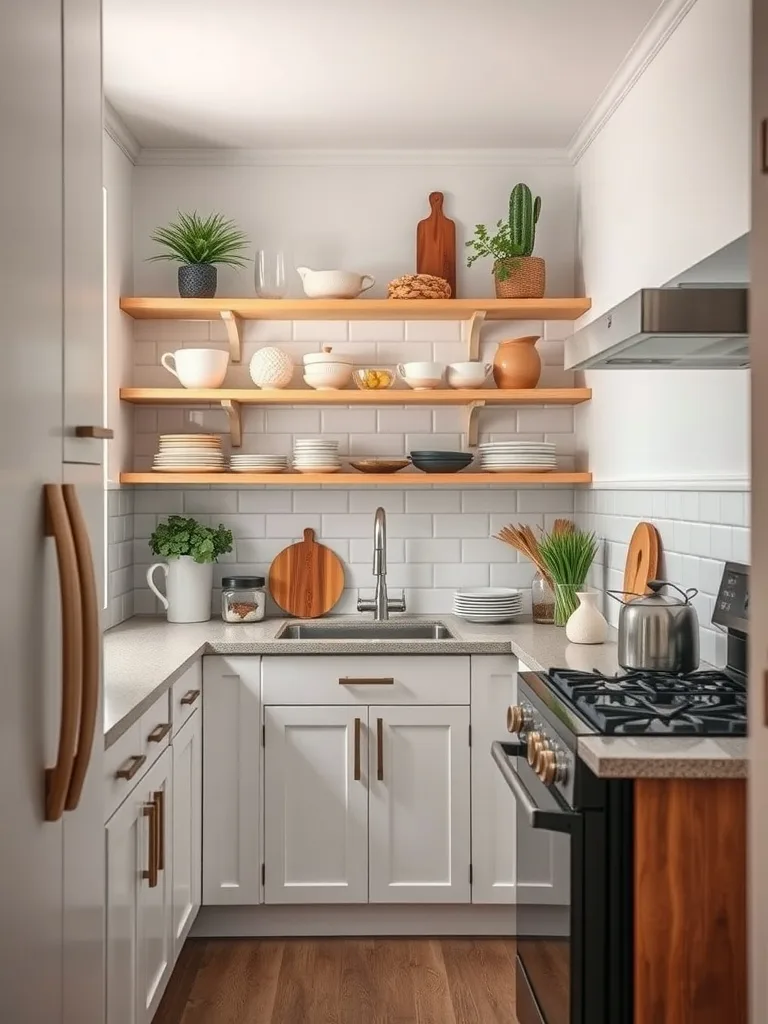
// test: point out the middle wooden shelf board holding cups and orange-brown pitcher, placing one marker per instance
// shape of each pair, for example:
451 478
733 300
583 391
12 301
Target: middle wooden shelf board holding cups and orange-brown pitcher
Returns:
306 397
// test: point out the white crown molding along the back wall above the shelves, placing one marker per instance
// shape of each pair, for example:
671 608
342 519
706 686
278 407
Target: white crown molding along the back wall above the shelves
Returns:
352 158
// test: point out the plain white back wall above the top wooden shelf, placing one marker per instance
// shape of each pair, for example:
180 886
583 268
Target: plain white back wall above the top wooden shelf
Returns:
353 217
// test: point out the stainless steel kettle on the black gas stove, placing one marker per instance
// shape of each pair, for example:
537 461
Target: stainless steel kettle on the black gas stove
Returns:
659 632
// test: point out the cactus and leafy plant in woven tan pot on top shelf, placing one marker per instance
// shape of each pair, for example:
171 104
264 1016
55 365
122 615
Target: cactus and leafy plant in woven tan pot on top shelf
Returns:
518 274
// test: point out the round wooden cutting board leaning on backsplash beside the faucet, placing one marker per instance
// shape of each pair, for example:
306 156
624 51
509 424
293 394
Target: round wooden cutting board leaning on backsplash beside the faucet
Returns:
307 579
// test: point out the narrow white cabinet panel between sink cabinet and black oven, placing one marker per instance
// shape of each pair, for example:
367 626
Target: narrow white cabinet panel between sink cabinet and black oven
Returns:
494 690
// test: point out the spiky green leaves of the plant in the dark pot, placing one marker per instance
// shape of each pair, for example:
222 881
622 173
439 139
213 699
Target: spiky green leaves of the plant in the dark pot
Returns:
196 240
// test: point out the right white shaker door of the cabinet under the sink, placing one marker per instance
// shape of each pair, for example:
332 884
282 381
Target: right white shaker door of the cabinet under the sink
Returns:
420 805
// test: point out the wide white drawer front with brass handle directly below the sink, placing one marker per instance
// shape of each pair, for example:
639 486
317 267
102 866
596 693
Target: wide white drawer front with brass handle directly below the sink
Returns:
351 679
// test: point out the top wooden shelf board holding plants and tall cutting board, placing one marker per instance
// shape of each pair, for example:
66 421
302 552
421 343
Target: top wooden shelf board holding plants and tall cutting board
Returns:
439 310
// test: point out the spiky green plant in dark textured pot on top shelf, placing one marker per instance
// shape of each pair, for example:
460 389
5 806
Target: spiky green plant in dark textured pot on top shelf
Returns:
199 244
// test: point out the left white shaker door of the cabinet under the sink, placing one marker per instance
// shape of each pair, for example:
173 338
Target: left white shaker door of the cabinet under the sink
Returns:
316 805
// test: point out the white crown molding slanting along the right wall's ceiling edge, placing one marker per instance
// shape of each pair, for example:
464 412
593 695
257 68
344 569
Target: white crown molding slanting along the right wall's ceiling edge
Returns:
664 23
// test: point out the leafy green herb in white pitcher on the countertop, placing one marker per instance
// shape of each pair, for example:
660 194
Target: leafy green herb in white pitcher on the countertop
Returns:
191 549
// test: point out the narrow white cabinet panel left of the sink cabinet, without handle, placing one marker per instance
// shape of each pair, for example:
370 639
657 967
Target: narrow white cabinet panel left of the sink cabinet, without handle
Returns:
232 729
